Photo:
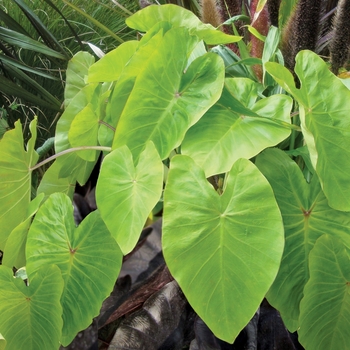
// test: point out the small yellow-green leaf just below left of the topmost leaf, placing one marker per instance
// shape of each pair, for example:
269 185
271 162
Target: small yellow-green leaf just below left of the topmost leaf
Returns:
109 67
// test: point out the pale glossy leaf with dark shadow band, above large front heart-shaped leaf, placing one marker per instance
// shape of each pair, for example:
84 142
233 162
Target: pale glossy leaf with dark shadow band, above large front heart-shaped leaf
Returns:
237 126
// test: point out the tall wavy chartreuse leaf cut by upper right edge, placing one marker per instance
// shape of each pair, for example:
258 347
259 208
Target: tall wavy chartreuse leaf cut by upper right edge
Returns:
324 114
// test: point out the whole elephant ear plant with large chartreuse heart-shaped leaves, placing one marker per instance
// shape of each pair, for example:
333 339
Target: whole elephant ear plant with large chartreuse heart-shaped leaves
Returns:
253 178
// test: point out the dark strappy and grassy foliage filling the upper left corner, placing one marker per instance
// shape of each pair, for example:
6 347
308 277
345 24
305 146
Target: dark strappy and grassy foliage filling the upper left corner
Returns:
33 76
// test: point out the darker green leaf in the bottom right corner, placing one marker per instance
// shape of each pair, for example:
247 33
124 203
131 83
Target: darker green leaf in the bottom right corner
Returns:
325 308
